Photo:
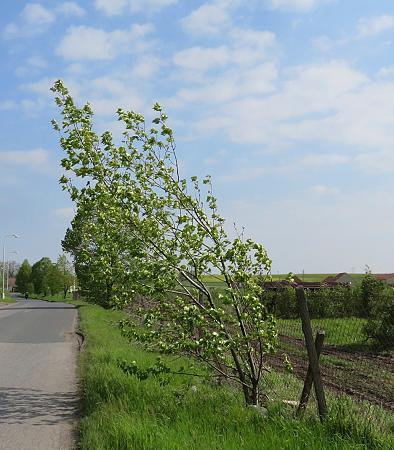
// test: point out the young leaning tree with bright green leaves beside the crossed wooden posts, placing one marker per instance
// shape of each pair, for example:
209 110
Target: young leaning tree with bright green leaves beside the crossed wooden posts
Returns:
170 236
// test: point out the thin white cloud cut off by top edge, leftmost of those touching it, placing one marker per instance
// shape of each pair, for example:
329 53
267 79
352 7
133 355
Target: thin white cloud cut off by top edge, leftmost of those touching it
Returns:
116 7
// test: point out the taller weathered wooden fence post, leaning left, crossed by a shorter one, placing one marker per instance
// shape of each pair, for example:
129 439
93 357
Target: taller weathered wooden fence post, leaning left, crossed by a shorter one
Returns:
312 354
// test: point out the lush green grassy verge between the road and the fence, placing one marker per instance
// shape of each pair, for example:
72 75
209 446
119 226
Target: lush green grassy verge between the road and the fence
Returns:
121 412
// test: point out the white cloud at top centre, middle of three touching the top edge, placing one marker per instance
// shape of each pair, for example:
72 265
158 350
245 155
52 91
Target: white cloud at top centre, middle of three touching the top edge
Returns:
211 18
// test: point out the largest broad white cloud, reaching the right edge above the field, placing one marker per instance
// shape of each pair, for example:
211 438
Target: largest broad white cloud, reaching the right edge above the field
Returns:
328 102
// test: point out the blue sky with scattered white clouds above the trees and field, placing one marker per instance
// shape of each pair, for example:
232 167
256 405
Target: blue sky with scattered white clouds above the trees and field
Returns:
288 104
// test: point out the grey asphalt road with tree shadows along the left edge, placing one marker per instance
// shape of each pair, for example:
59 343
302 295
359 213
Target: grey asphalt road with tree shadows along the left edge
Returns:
38 395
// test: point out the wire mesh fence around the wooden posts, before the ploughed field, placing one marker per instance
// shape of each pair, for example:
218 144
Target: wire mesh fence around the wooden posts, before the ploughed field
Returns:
350 366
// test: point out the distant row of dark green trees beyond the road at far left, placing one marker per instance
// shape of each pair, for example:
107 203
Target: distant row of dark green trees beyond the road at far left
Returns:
46 277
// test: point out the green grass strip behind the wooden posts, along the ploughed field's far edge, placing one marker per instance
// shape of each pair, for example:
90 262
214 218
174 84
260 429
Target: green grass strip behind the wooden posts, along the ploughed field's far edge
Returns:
345 331
